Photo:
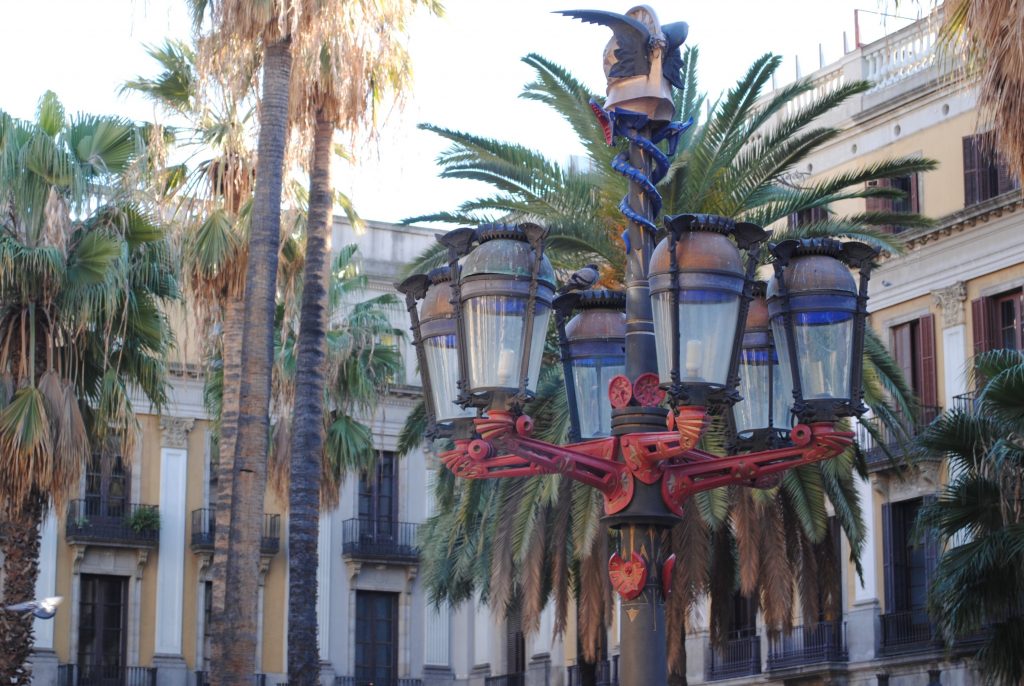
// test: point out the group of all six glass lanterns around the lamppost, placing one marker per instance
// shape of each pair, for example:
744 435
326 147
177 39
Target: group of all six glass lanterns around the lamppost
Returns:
766 355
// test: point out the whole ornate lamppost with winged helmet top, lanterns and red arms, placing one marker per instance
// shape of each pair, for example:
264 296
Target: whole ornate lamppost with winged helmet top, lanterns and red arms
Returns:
677 346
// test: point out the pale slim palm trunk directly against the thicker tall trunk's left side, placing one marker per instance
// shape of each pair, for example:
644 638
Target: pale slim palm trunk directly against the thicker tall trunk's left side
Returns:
234 321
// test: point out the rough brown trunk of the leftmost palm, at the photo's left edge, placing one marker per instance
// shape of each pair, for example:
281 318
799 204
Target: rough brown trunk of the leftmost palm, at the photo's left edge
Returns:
21 569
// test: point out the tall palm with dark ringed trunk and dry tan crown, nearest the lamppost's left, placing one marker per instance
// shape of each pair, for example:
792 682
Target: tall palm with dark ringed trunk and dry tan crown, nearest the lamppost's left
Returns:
350 61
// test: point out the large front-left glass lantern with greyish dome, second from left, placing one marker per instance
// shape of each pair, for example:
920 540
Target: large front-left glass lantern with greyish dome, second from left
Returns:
505 291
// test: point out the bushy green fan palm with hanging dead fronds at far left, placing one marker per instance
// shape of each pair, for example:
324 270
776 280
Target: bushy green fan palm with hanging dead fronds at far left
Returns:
86 275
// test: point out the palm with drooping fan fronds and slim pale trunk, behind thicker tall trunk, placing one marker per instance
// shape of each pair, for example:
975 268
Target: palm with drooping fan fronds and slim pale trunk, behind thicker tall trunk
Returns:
209 197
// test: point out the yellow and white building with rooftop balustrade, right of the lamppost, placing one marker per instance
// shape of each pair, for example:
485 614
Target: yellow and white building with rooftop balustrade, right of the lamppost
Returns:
957 291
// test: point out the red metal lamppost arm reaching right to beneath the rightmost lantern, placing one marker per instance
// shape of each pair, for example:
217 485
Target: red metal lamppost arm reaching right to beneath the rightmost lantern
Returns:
703 471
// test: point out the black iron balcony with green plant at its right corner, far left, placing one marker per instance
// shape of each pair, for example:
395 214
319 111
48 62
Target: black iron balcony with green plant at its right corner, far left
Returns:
101 523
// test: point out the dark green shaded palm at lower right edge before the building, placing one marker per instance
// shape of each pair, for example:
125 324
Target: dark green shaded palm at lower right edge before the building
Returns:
978 585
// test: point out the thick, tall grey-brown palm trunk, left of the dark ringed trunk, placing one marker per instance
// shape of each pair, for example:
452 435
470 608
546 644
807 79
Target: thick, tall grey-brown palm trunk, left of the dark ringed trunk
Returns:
235 658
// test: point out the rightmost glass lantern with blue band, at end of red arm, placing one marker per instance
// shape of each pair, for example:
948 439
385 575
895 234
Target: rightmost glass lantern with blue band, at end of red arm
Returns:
818 318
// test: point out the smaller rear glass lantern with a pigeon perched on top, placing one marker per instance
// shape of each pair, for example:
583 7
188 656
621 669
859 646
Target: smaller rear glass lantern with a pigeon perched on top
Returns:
593 351
